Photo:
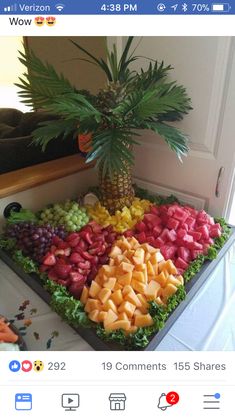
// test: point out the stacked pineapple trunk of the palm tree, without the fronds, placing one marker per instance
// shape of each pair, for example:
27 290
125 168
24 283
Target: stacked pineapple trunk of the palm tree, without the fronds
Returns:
116 192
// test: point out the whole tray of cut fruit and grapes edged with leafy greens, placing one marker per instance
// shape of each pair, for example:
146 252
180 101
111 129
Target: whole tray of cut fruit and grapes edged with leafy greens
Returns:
120 280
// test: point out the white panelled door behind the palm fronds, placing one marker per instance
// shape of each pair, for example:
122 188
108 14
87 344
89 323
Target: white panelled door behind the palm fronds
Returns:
206 66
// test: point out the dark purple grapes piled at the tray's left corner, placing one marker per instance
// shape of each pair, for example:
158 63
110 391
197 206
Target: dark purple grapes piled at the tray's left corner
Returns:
34 240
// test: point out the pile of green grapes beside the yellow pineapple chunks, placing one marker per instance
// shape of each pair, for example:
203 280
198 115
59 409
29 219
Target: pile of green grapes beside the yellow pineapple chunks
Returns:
69 214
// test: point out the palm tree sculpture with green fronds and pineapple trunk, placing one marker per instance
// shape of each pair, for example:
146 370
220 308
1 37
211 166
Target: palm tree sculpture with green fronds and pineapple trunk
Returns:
130 101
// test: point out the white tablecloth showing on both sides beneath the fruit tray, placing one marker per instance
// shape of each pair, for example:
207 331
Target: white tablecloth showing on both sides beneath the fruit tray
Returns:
206 324
